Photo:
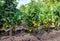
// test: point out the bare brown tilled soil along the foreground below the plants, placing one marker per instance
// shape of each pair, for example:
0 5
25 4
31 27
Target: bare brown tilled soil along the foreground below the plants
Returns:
52 36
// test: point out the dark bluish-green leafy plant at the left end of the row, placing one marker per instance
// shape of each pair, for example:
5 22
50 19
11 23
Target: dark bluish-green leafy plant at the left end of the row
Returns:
9 15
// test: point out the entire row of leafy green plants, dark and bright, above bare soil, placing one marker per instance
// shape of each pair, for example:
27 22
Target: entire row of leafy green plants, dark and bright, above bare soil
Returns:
33 14
